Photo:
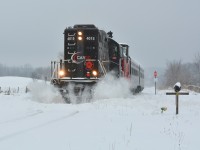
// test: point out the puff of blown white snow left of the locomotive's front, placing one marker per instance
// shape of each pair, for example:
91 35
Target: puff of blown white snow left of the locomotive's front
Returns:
44 93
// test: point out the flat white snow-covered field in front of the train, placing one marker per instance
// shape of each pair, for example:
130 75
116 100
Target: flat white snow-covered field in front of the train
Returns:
41 121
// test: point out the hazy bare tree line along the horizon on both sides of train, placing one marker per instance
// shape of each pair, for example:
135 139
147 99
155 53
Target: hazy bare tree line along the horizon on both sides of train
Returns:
176 71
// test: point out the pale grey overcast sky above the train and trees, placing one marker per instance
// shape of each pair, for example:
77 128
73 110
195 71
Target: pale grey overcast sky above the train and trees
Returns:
31 31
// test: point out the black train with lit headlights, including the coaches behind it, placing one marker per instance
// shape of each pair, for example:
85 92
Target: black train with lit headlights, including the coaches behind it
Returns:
89 55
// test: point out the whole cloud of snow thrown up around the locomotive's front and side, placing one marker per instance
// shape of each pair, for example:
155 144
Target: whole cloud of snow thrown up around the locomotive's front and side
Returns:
109 87
